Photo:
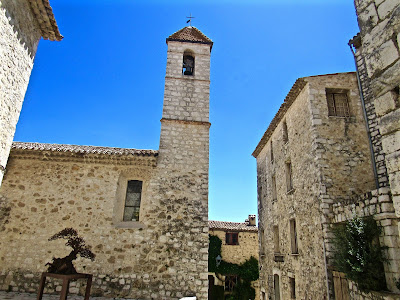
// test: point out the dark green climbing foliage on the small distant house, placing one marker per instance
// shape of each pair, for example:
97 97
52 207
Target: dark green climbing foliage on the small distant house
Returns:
247 272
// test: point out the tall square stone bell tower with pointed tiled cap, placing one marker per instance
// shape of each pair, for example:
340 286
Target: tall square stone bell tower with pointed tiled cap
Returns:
182 167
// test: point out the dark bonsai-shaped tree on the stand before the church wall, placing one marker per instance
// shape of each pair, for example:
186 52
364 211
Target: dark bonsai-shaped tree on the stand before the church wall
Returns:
64 265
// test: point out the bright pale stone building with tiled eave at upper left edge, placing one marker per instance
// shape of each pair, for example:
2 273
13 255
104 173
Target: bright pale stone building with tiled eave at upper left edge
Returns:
22 24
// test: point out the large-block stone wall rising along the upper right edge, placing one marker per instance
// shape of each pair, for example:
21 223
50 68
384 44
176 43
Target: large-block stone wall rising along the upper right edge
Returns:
379 22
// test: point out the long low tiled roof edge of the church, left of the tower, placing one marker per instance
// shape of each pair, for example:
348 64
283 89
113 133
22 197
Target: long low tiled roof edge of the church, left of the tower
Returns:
82 149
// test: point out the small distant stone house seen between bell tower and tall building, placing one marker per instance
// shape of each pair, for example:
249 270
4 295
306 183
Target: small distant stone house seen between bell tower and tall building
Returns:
239 243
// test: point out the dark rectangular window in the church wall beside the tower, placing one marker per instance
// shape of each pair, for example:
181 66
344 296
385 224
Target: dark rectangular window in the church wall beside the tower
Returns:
132 200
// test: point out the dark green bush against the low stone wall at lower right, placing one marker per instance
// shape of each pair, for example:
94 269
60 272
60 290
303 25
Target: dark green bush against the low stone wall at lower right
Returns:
358 253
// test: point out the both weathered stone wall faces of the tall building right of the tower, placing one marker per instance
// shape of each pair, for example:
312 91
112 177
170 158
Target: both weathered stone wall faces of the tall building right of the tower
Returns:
330 162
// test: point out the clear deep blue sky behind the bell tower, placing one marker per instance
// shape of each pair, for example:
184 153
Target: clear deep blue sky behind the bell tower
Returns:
103 84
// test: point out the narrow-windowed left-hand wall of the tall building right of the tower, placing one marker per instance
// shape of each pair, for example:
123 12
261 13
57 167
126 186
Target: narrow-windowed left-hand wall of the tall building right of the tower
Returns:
301 204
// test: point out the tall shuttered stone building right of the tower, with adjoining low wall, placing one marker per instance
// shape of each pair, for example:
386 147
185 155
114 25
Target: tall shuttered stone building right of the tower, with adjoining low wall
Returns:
314 156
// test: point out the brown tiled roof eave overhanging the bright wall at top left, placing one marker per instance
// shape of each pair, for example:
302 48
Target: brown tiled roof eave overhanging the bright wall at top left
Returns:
45 17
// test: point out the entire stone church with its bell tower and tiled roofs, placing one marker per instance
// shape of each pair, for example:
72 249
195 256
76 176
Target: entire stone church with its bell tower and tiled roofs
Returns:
144 212
